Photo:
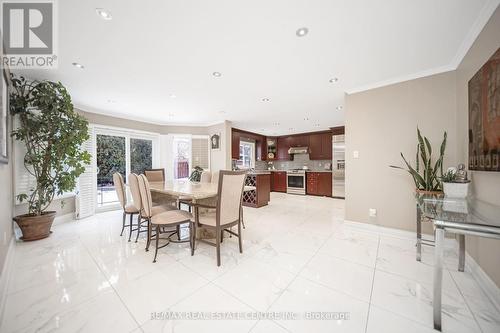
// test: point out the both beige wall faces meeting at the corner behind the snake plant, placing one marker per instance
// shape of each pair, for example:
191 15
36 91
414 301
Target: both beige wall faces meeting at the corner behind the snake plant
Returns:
381 122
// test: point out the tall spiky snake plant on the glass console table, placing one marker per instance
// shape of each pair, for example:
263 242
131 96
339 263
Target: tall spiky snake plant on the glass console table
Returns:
425 173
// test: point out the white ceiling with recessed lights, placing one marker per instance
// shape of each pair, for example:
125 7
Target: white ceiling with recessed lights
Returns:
152 49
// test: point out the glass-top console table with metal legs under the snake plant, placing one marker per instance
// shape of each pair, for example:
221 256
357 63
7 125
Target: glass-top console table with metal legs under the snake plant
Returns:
458 216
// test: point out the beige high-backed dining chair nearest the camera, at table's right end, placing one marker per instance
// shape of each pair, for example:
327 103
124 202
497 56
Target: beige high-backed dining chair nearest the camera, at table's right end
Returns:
225 214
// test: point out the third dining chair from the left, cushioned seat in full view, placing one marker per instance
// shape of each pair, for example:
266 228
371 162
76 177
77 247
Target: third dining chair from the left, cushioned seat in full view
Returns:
160 221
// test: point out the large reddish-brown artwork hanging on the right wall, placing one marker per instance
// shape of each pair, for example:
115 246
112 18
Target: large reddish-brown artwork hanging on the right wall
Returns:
484 116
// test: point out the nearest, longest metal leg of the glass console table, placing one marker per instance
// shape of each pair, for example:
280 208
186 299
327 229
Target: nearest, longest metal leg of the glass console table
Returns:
438 277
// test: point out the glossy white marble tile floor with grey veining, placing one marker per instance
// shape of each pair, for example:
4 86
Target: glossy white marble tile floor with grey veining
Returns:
300 261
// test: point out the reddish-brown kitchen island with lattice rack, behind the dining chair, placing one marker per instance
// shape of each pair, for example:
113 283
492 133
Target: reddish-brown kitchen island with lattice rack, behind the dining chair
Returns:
261 195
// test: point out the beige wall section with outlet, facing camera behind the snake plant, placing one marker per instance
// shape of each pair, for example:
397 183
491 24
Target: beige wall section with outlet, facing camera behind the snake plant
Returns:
380 124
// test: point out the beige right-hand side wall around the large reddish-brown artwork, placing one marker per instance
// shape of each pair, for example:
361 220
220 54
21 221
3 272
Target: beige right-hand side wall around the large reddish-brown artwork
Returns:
485 185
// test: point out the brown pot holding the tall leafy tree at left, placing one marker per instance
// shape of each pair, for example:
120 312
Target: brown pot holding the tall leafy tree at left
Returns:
35 226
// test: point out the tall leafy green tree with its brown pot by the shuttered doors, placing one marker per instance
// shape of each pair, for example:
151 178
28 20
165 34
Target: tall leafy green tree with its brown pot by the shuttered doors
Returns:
52 133
